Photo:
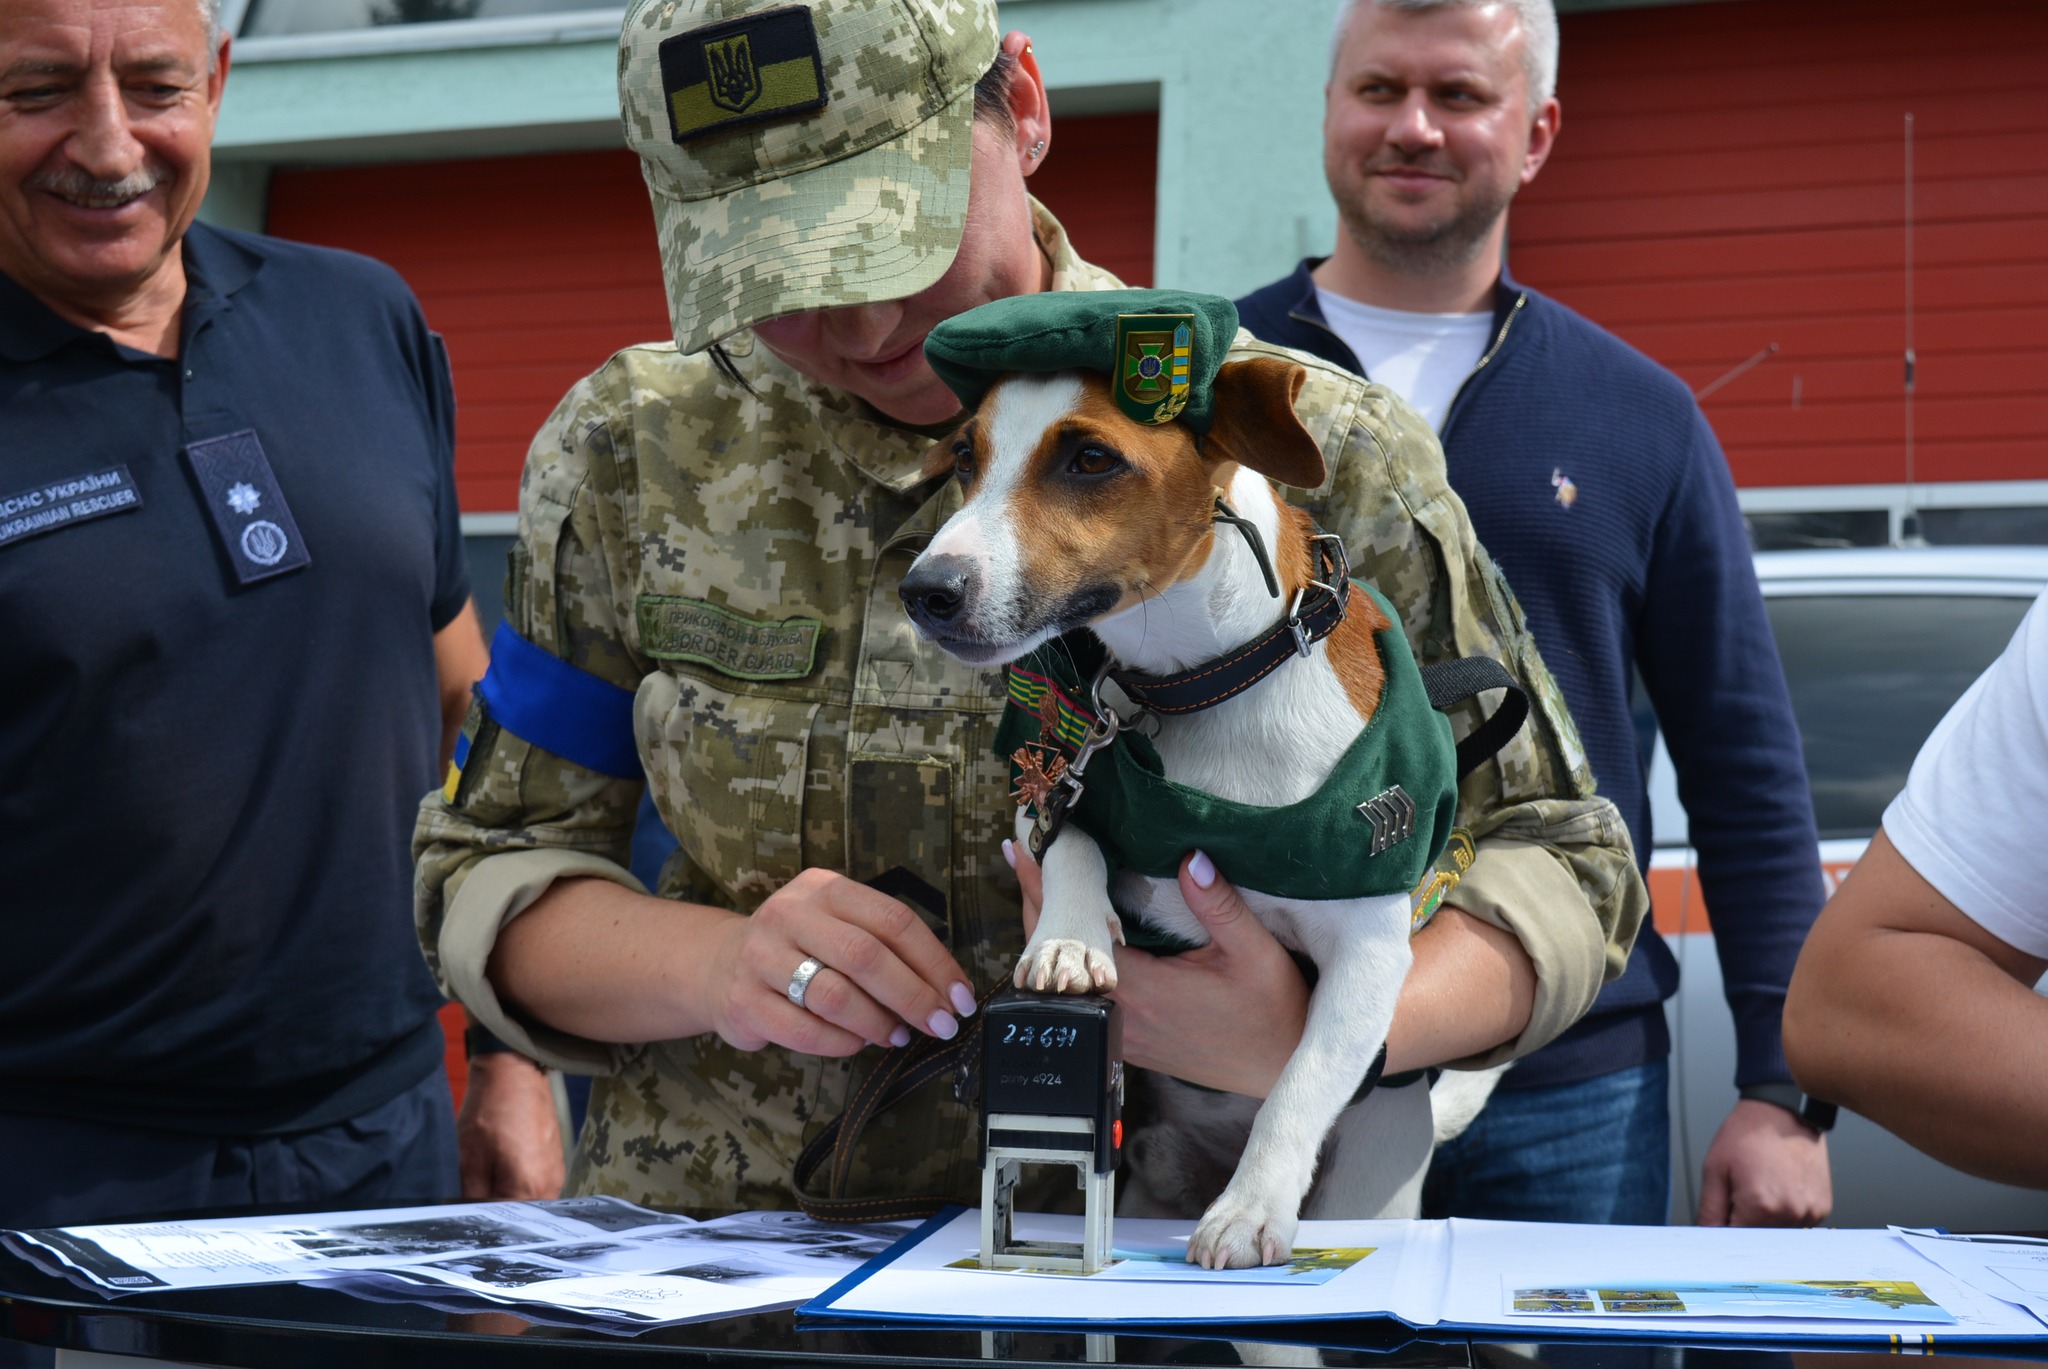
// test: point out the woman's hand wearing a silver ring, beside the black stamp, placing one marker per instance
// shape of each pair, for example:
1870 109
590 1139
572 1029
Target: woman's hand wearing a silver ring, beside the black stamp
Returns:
884 972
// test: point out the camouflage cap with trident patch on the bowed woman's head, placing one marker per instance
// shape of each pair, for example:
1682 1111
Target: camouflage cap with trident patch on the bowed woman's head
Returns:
802 157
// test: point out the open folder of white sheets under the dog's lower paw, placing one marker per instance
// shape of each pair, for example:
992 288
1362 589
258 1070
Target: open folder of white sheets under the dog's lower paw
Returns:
1455 1276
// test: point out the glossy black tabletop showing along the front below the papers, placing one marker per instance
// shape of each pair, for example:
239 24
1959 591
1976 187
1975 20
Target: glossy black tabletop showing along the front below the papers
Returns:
312 1329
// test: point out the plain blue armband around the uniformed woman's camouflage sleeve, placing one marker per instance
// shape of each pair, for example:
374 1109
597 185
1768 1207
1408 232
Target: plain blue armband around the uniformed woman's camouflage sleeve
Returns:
550 704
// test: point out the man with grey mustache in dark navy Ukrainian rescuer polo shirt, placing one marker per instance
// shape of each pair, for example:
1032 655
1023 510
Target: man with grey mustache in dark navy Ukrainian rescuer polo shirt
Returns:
234 634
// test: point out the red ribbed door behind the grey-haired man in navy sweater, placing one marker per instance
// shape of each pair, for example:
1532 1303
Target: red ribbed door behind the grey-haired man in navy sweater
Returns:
1734 175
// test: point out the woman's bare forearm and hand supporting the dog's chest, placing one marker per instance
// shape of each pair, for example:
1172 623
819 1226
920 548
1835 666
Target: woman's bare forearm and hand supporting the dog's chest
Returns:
1469 989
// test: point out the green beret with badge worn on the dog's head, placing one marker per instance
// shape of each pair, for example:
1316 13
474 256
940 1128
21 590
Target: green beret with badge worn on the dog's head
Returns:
1160 349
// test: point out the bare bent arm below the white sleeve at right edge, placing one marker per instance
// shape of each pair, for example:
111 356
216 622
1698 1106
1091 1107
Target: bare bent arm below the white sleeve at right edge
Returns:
1920 1020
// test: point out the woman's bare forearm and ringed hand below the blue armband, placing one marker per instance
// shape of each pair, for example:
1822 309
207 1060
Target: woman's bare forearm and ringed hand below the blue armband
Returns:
603 962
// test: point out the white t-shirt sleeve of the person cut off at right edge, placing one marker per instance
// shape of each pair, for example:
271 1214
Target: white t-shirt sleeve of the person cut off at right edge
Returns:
1973 819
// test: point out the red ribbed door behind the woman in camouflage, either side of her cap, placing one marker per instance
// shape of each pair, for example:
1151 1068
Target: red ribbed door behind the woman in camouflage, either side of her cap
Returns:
540 267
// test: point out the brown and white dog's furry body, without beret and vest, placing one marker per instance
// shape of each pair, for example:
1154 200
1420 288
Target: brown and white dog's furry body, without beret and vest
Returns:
1175 550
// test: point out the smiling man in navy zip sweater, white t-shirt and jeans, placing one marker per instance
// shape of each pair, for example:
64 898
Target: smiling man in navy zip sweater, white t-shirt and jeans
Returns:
1601 489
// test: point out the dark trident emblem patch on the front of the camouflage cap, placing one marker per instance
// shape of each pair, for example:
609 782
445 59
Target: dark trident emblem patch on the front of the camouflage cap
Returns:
742 71
